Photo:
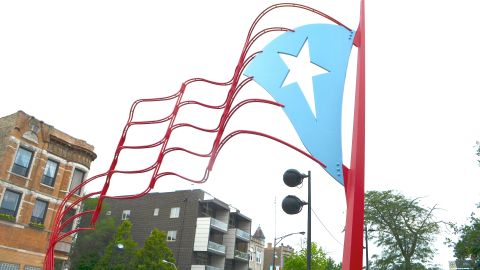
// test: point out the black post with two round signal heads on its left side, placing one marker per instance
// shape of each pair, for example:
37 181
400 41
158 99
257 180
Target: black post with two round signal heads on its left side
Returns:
293 205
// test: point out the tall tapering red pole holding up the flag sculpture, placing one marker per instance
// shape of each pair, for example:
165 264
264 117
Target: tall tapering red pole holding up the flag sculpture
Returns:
354 184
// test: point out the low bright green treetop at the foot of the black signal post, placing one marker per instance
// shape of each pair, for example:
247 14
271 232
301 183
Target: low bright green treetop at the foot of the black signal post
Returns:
320 261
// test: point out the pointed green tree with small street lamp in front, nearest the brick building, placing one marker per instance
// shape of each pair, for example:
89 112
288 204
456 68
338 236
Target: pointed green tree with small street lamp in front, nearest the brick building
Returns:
120 251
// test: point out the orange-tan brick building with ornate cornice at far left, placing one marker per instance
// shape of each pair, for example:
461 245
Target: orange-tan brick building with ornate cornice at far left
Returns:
38 166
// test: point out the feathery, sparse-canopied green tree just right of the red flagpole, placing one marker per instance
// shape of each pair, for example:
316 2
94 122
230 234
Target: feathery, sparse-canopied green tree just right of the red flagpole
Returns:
402 227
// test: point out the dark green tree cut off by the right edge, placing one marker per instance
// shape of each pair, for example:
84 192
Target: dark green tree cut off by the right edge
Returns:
468 244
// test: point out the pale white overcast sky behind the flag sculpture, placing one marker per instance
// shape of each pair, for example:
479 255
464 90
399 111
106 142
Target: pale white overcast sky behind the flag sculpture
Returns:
78 65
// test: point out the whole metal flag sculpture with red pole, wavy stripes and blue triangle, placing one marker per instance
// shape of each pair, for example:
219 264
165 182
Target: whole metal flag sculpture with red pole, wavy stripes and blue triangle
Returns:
312 105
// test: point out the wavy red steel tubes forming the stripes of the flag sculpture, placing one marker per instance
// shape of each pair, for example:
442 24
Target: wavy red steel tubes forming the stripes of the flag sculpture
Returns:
235 85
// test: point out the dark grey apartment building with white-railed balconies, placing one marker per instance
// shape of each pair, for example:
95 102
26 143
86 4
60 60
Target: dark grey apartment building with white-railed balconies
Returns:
203 232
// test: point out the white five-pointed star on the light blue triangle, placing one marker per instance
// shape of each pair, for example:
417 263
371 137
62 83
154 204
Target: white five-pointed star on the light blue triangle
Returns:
302 70
